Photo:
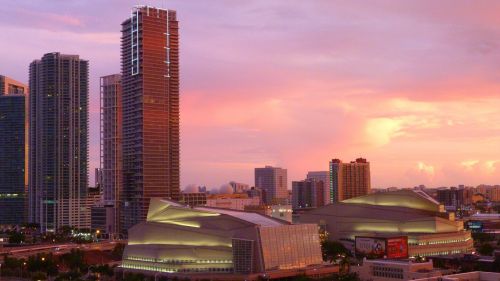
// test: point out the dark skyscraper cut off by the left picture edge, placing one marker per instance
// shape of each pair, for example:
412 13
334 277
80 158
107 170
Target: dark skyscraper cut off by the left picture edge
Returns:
13 151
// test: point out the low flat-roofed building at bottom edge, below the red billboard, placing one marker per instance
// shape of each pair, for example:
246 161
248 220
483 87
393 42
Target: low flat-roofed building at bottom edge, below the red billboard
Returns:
391 270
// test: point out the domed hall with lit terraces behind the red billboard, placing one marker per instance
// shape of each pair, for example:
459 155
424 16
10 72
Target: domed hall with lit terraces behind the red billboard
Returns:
430 230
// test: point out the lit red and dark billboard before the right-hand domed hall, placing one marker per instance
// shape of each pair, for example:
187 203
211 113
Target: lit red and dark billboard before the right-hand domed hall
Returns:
380 247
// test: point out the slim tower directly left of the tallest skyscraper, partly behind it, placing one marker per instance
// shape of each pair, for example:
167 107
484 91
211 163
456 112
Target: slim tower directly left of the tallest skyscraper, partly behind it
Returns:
111 149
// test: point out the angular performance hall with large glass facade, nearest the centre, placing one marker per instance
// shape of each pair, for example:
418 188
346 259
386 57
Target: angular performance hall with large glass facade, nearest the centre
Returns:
178 240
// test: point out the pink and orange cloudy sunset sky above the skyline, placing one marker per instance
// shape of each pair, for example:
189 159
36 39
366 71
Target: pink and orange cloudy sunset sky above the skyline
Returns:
413 86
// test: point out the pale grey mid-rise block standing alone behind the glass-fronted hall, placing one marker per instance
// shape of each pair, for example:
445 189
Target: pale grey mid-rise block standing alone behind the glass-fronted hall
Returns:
273 182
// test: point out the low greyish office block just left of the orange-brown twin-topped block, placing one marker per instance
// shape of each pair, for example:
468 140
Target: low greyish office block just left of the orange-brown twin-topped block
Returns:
307 194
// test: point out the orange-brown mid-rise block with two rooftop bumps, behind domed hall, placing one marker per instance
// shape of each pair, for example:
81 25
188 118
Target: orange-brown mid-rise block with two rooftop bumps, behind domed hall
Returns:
348 180
